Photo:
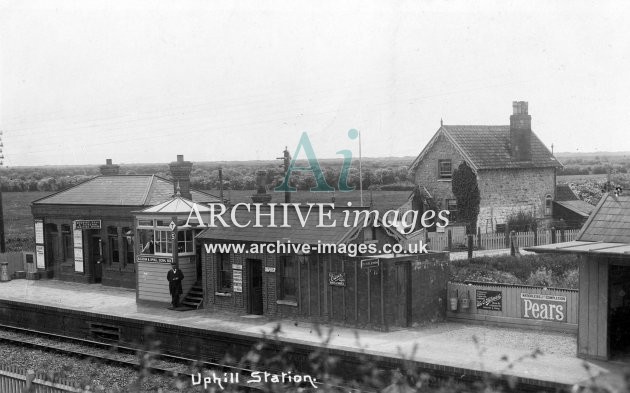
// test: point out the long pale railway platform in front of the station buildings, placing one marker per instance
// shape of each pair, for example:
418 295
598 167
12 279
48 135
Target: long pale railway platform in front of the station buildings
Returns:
456 347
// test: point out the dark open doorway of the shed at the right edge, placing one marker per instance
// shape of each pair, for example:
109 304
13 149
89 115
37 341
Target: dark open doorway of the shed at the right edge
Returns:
619 311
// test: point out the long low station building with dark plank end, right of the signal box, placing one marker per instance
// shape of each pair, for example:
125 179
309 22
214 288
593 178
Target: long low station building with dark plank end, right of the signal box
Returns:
320 285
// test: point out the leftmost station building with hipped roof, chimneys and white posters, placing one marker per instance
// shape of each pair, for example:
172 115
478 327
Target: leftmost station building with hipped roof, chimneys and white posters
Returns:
86 233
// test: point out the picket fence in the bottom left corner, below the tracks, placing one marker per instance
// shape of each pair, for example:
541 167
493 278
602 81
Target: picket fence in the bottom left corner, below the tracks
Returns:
14 380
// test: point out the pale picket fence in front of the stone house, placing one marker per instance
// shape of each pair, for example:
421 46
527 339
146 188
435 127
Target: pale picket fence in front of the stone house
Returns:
449 241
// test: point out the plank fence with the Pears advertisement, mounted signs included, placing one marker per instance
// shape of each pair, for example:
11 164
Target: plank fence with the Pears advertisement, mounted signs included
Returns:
514 305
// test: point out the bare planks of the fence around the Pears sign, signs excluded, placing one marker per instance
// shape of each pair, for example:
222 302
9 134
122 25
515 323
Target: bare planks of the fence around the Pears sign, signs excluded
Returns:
510 315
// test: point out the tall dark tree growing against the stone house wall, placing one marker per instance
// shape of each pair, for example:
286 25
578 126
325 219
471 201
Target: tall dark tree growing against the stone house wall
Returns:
466 191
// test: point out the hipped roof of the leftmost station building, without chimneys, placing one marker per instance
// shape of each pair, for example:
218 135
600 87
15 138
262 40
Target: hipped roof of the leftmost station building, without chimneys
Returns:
120 190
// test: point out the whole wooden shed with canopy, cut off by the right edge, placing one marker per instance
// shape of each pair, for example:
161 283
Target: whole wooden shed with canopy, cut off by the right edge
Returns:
603 246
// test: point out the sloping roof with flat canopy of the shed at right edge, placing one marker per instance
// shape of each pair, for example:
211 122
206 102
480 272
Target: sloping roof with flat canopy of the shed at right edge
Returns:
606 232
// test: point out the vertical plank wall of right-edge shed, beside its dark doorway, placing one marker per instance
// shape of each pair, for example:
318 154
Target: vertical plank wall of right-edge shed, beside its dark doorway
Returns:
593 332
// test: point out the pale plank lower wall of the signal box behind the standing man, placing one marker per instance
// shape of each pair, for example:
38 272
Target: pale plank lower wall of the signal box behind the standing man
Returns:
152 283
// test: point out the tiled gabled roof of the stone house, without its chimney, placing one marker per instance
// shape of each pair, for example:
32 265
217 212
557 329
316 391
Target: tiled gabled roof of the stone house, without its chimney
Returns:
487 147
